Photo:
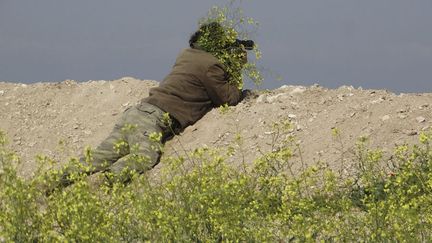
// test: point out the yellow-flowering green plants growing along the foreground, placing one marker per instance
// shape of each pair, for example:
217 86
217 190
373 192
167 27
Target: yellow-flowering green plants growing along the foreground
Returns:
201 197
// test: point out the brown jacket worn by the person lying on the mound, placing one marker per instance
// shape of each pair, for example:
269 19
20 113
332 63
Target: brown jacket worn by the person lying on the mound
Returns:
196 84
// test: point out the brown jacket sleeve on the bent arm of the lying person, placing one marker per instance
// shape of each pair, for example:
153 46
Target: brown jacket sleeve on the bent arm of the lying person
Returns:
219 89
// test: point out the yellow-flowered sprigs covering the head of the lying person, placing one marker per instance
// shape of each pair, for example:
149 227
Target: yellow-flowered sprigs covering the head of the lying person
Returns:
220 40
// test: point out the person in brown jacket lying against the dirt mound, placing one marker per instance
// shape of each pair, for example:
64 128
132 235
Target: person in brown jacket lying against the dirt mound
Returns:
197 83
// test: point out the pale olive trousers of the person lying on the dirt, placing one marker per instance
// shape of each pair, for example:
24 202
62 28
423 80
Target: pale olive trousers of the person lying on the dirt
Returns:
134 144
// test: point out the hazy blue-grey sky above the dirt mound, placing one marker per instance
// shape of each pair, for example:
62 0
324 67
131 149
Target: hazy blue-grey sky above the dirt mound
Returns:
368 43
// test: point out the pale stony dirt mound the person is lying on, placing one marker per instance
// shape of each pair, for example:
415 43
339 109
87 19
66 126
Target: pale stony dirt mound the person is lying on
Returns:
60 119
